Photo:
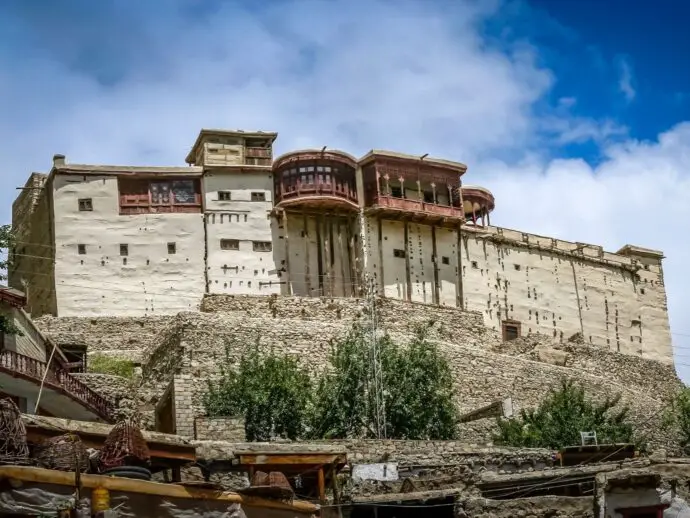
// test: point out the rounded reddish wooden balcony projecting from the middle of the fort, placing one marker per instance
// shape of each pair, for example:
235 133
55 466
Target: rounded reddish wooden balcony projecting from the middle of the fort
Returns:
316 180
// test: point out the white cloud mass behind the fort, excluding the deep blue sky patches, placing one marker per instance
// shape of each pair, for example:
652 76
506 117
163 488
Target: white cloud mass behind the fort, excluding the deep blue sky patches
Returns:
395 77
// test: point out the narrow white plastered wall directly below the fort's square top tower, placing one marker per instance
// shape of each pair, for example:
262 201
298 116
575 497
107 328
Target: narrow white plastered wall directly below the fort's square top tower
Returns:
242 271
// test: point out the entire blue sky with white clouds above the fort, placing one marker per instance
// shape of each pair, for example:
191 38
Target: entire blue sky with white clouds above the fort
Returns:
576 117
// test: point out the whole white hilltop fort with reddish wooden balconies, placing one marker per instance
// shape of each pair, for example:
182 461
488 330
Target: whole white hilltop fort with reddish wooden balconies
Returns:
98 240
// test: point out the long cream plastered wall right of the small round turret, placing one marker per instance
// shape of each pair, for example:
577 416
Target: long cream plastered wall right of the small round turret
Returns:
560 295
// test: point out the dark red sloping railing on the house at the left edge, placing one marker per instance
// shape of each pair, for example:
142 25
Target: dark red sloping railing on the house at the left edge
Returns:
56 379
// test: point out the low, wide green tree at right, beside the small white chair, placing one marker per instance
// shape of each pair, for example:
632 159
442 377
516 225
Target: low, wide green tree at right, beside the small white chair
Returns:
561 416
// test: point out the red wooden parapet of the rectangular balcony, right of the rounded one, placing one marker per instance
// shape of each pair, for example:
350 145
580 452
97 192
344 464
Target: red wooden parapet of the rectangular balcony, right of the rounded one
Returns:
391 207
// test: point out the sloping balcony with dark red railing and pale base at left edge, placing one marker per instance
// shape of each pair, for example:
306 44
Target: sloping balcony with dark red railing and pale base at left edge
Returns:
63 395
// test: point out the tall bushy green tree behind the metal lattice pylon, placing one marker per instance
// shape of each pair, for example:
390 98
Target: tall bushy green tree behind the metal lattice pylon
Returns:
418 390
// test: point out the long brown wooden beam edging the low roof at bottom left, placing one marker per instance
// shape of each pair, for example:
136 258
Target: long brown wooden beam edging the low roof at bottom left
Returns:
62 478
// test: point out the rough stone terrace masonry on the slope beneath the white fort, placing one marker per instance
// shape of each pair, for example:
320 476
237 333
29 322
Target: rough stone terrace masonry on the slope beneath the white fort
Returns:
485 369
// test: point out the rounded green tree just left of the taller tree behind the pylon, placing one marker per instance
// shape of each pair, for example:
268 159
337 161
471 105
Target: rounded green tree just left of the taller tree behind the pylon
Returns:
271 391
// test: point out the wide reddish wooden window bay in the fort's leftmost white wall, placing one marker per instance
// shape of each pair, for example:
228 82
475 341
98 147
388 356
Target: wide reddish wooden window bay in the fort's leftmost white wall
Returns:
153 195
